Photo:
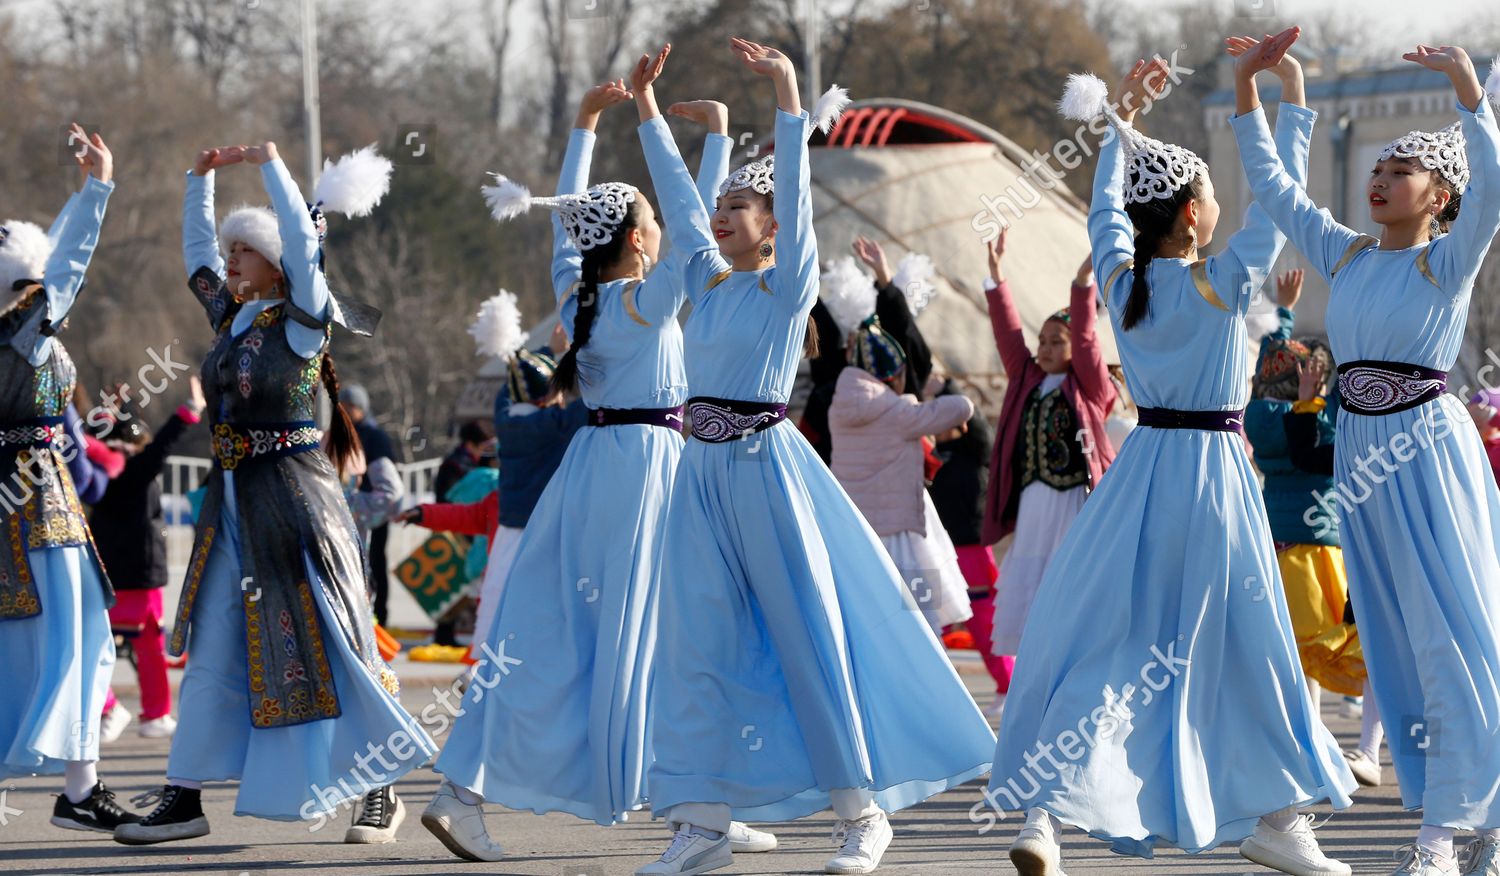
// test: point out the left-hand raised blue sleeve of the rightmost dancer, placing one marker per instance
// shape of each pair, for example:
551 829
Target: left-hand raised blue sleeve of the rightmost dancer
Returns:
1321 239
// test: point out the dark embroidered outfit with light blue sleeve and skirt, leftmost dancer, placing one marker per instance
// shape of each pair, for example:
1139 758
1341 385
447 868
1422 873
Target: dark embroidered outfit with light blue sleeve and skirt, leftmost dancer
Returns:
55 632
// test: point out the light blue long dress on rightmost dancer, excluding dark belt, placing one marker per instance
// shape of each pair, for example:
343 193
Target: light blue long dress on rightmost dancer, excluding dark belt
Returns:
1418 508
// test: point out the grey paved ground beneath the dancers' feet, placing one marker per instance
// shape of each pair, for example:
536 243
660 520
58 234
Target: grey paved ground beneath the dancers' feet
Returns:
932 839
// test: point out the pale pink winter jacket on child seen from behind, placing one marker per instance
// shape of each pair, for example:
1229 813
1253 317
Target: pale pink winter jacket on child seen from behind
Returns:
878 451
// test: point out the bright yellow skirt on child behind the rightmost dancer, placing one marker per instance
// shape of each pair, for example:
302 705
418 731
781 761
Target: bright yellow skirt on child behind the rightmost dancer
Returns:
1313 577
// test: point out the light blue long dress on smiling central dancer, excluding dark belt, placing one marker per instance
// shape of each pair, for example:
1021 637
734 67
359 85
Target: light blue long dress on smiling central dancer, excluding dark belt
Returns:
793 661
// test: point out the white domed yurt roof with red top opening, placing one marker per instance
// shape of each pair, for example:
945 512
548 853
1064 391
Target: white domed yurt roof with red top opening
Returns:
922 191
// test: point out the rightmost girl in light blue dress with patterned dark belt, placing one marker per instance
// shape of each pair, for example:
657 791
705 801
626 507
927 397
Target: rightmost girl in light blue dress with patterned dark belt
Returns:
1415 500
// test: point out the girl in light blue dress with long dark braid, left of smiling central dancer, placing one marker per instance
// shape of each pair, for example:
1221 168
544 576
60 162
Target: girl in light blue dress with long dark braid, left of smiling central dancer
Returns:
557 716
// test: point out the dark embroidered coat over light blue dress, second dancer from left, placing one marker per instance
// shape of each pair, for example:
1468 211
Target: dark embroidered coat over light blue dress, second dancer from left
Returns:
284 683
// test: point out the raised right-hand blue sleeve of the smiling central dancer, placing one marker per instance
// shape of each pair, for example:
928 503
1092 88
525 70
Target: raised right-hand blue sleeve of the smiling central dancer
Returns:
796 275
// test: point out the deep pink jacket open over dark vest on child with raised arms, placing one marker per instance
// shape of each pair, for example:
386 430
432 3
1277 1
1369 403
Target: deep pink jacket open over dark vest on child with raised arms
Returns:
1087 388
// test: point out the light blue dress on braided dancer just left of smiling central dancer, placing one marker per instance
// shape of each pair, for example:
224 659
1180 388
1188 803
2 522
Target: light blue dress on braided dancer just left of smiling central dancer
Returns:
559 721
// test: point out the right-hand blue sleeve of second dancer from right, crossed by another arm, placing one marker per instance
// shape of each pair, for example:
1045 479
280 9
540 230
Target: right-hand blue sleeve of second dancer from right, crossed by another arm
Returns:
1244 268
